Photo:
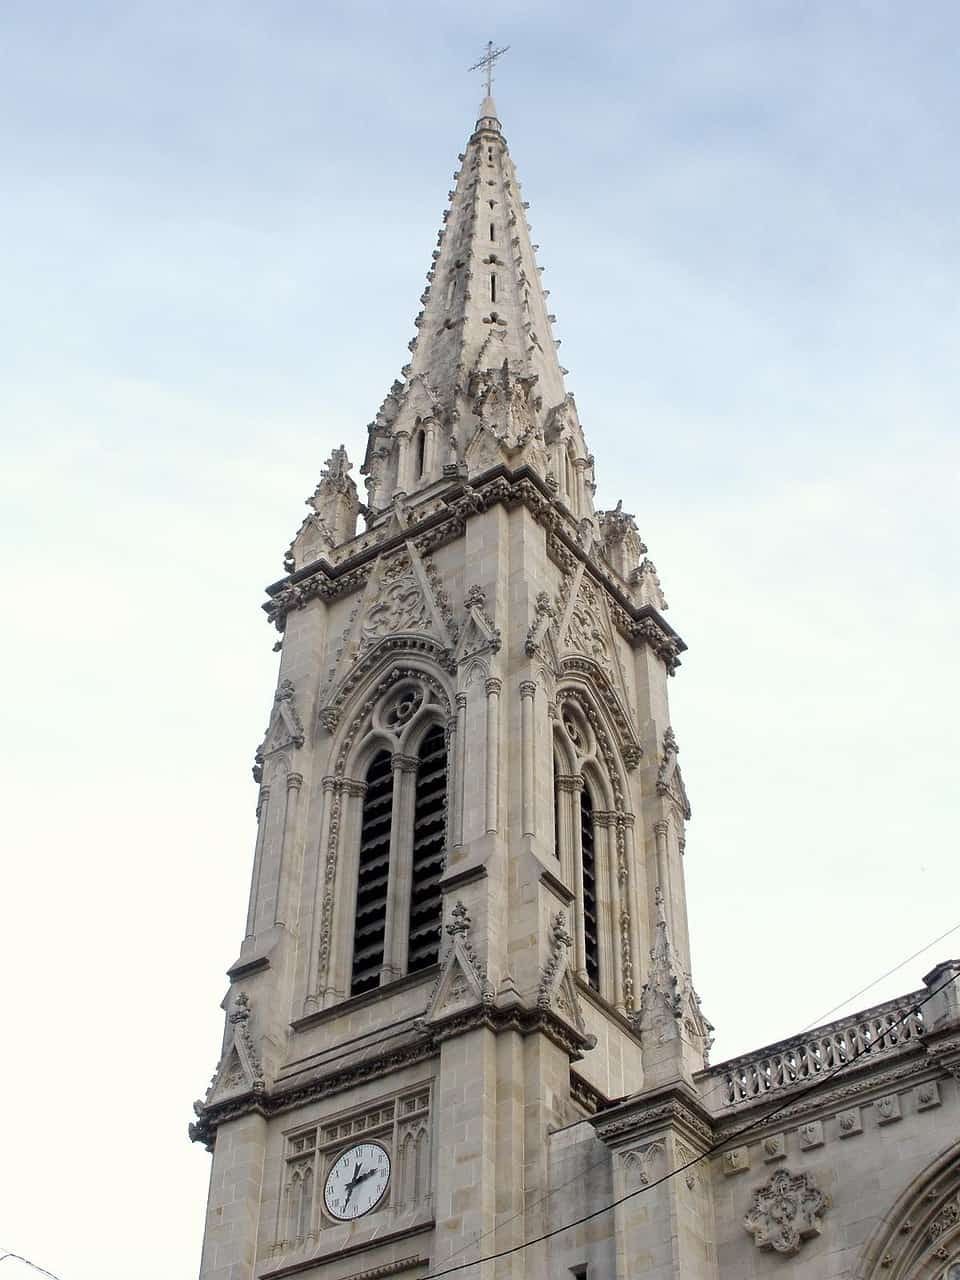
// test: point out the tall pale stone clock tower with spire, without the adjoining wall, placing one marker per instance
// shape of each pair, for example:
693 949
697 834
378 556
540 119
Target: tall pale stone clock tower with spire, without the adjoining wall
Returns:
468 926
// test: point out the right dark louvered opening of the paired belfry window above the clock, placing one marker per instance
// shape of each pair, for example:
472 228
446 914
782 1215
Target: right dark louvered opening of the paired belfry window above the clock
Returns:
429 824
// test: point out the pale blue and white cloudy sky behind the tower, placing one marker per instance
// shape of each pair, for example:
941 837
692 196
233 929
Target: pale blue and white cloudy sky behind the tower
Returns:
216 227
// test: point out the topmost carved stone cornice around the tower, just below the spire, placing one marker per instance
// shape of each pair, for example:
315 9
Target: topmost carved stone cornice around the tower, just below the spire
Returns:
324 579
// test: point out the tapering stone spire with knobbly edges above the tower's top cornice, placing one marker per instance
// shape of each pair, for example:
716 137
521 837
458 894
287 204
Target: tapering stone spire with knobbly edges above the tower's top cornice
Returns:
484 383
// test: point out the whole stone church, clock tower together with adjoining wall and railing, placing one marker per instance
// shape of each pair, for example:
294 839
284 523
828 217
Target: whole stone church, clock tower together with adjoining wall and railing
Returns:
463 1023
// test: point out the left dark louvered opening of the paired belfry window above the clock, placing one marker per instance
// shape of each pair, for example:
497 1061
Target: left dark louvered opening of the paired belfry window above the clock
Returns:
373 875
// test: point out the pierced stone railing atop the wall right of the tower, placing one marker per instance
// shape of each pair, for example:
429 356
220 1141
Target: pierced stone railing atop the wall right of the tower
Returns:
868 1035
